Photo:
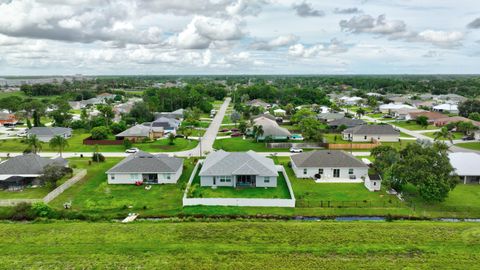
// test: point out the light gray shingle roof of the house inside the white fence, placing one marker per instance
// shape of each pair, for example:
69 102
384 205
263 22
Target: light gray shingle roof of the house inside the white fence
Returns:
237 163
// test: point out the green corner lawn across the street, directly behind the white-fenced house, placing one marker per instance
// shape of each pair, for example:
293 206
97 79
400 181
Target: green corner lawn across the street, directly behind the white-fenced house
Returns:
238 144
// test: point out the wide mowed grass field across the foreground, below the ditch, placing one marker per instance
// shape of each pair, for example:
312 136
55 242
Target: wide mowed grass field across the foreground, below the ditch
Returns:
240 245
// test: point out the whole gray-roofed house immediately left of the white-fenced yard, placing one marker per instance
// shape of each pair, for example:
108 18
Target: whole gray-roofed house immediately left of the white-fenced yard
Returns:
143 167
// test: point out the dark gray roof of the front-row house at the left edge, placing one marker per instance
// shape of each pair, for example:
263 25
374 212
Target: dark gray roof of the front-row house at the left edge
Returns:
28 164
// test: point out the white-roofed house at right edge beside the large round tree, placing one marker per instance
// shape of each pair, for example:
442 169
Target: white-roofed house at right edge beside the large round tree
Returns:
466 165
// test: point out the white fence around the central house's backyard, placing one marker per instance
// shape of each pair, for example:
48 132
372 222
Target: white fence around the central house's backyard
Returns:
239 201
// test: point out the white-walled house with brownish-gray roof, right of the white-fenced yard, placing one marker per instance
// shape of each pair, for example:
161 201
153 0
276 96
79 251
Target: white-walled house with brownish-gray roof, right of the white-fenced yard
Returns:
329 165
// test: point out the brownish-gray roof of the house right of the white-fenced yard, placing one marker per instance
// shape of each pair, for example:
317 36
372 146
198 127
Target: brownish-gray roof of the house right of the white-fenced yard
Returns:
327 159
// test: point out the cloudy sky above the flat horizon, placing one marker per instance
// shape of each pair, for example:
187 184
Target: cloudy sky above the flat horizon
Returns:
46 37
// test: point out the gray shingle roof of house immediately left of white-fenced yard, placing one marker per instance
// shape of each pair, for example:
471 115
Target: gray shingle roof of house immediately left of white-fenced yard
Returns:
142 162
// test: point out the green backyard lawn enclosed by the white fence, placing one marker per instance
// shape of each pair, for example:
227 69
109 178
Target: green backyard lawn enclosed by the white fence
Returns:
279 192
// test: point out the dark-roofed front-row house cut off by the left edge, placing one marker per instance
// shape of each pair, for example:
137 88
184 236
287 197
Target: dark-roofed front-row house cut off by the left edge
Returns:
20 171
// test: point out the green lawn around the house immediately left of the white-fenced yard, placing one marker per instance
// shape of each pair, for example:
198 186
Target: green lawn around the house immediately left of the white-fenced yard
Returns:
93 195
